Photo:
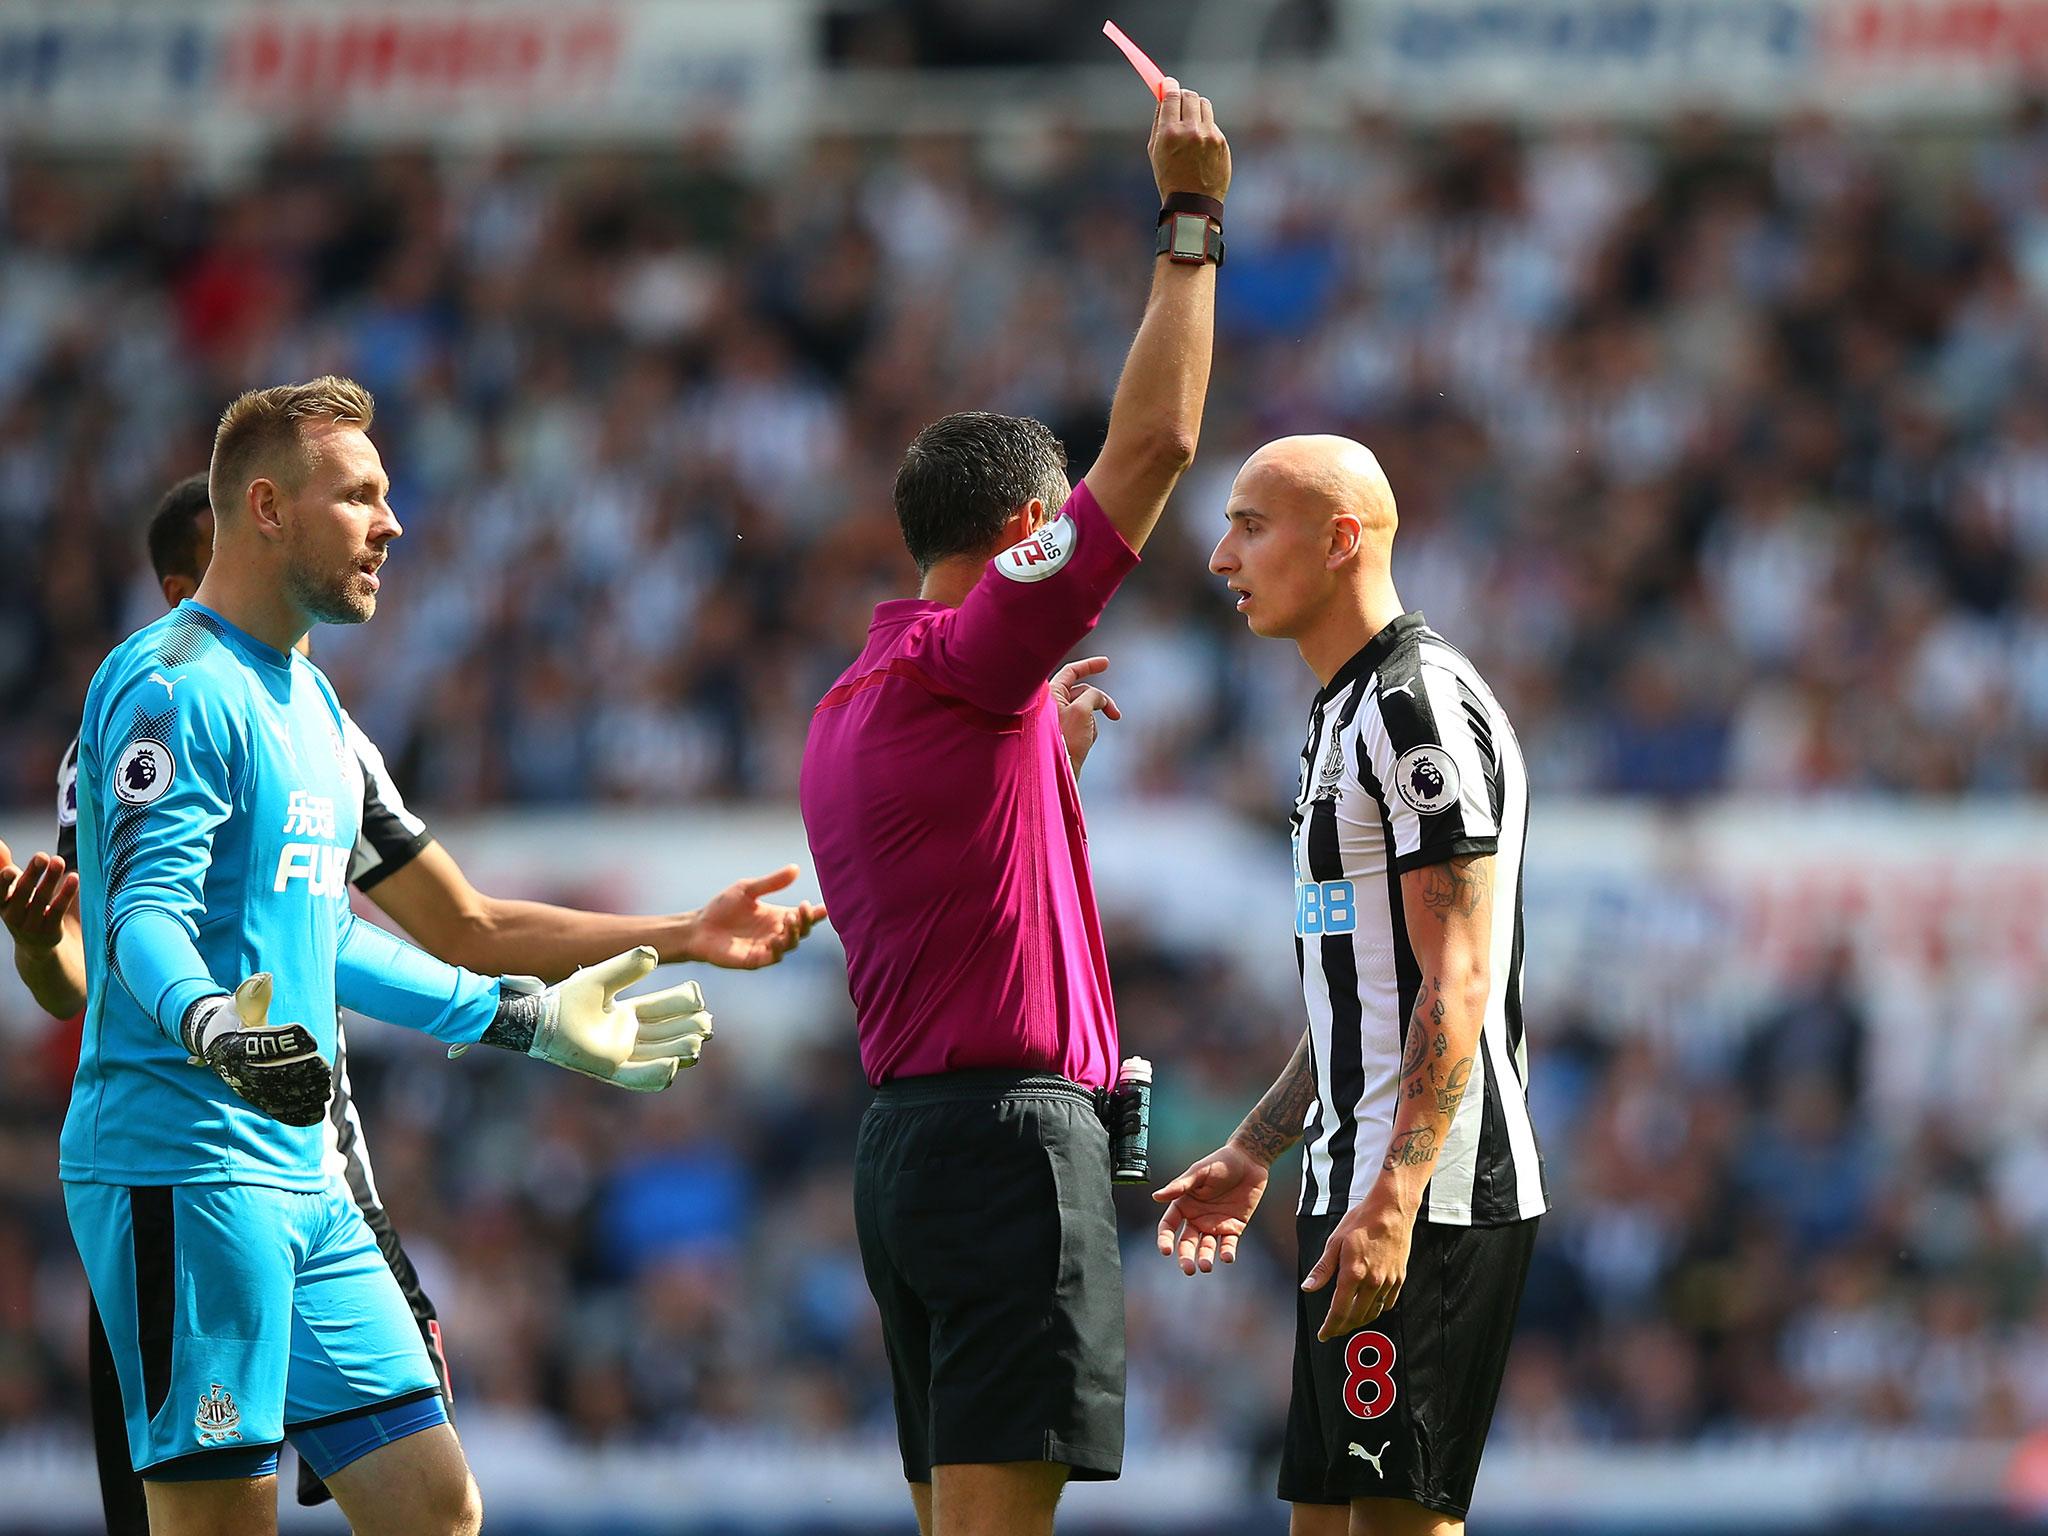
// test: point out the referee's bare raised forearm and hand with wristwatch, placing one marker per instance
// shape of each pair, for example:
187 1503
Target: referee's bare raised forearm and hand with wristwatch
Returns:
1158 413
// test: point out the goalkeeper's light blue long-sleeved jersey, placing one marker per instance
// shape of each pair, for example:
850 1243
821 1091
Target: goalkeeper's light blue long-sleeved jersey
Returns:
216 820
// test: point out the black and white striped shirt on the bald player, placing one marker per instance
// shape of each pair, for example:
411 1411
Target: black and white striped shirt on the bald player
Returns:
1410 763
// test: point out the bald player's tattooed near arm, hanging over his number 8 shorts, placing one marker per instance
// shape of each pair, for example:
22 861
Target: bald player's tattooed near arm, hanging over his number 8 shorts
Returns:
1449 912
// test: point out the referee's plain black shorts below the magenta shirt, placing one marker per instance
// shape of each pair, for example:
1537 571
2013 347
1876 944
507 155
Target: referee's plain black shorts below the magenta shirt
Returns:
990 1244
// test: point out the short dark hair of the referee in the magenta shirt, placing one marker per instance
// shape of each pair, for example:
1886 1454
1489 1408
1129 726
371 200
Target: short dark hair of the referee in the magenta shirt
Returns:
966 474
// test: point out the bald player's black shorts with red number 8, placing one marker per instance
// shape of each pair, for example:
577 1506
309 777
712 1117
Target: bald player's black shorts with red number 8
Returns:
1402 1408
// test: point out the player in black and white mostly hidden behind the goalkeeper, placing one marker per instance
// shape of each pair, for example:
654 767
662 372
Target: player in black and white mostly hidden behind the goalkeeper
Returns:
415 882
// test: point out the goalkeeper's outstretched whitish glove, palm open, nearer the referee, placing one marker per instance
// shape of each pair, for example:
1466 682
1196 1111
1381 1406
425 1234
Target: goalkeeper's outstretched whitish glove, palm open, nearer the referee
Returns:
583 1023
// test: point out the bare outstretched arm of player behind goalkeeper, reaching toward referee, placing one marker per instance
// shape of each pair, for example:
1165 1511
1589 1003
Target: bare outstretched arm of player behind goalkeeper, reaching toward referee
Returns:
454 921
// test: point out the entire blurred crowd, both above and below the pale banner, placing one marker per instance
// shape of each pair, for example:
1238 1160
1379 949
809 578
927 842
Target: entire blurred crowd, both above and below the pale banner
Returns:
1723 456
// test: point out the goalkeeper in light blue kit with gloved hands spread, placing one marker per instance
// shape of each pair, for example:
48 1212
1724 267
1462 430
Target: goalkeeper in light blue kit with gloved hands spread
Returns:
243 1291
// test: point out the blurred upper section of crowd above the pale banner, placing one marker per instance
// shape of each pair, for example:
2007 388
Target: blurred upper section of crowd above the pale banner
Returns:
1723 456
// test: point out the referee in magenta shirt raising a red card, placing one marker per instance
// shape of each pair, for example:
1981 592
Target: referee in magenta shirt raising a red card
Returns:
947 833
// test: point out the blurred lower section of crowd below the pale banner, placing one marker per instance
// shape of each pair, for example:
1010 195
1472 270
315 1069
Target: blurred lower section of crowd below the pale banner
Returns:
1738 1244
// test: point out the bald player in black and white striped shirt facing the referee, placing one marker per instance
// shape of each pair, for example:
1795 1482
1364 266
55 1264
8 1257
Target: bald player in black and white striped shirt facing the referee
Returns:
1422 1183
